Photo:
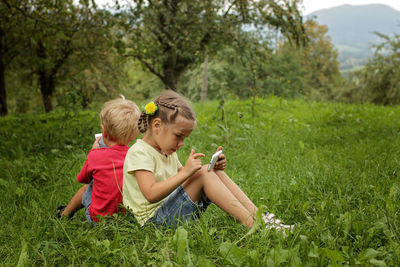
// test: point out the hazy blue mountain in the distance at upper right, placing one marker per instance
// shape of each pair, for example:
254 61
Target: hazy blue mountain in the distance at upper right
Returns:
352 30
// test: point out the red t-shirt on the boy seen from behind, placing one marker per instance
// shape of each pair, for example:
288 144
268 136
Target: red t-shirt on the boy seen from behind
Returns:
105 167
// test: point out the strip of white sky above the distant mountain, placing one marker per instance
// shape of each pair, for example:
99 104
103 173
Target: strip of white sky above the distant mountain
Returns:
313 5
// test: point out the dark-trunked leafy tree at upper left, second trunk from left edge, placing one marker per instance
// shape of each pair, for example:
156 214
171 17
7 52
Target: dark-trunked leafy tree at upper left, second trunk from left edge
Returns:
71 31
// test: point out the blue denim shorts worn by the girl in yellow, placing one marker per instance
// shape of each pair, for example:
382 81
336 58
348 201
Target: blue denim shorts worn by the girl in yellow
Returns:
179 208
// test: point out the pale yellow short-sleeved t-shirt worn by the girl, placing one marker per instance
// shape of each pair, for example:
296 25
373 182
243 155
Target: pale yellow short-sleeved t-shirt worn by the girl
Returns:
142 156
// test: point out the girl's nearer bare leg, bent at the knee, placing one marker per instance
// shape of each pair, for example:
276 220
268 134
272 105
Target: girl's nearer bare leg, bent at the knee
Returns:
218 193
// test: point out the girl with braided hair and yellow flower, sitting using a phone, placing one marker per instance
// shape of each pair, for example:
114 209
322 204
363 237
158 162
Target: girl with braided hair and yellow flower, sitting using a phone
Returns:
158 189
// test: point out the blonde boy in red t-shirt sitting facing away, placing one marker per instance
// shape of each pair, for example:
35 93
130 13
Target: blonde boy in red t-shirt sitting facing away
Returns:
102 172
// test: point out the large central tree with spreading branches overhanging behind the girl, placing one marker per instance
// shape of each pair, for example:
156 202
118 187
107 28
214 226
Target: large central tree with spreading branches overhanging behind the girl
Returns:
167 36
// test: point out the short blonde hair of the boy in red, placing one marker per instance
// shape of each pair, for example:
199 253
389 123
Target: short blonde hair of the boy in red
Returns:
119 118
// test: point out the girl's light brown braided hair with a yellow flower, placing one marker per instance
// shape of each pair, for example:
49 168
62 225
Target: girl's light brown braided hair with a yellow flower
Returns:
170 104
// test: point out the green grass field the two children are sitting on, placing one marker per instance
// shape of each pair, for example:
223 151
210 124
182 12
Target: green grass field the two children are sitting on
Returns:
330 169
